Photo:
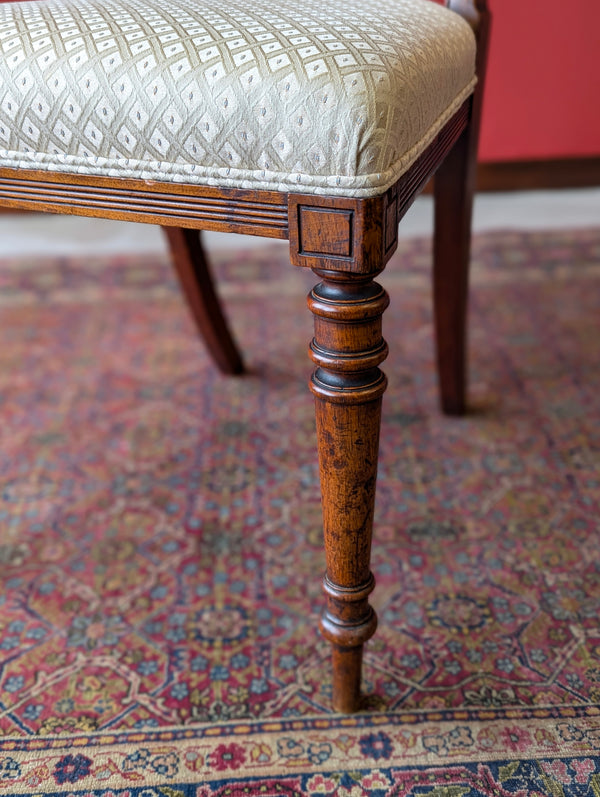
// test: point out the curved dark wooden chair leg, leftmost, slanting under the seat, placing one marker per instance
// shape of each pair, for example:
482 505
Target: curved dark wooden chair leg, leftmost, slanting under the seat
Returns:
196 282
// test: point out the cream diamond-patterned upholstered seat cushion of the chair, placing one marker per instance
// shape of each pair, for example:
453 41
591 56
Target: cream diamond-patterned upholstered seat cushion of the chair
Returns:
335 97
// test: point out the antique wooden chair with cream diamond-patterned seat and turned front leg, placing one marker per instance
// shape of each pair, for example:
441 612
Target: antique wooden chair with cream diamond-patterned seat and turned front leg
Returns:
314 121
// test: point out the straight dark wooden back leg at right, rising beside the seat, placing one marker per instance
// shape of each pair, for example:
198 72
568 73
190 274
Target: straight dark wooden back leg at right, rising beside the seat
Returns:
453 191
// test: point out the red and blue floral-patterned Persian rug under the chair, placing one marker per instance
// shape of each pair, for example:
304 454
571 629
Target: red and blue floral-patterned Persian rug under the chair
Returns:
161 552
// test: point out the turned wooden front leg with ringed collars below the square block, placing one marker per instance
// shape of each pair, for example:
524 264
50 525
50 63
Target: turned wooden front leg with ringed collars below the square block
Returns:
347 349
